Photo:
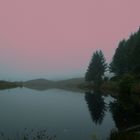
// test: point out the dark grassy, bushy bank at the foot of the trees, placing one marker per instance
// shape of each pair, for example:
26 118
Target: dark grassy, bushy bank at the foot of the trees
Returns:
126 84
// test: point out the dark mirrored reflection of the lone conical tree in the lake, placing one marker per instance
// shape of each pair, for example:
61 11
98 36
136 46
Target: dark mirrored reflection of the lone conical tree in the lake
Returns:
96 105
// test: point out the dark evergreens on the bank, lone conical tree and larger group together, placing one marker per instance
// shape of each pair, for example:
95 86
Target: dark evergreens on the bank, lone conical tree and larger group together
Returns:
125 66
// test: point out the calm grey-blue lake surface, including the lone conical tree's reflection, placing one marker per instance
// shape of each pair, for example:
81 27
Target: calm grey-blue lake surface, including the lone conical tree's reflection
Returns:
66 114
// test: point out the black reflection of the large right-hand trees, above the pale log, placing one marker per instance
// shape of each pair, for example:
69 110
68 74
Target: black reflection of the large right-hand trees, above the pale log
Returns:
125 112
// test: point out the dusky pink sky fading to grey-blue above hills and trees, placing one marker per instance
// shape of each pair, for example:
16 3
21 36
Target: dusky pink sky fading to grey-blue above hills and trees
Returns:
56 38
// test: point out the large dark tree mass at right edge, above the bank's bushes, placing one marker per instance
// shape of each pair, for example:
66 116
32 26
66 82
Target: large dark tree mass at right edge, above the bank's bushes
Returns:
126 58
